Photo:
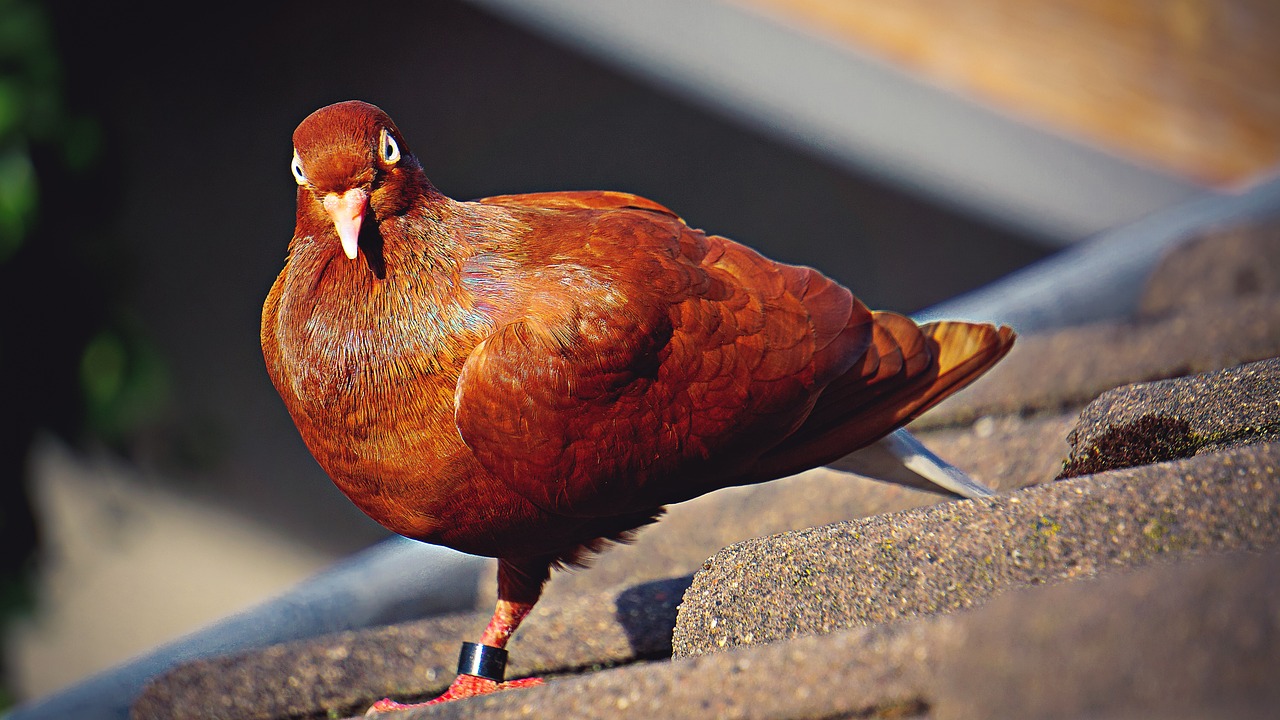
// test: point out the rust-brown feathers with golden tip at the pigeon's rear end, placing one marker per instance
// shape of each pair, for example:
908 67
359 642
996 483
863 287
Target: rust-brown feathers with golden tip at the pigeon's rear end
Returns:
907 371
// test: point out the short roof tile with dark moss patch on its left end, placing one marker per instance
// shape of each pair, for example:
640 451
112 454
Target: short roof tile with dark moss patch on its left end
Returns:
1178 418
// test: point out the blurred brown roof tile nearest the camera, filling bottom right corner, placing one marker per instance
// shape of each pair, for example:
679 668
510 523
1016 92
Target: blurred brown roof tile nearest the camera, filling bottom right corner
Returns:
1195 640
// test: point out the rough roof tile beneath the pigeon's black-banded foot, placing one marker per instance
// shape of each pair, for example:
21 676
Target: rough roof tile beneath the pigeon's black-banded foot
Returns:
345 673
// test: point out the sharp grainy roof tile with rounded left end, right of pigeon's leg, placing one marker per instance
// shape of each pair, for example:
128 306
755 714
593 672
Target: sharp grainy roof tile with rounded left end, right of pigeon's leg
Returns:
954 555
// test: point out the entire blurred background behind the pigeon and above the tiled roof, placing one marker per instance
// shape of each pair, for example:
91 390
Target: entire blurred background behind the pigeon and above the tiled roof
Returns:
150 480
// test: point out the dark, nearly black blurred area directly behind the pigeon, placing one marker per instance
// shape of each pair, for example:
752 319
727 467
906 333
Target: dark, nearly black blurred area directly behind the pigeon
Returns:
176 231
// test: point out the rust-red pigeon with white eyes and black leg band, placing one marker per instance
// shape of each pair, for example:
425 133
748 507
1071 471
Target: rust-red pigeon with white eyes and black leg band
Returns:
532 377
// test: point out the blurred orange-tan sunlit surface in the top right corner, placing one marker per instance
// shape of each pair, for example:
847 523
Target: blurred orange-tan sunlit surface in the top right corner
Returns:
1187 85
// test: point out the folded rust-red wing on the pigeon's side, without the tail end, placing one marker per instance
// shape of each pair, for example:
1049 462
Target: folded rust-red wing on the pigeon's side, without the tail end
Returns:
683 362
